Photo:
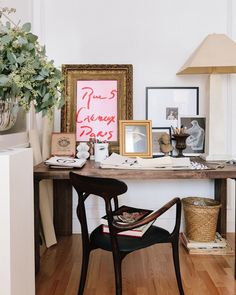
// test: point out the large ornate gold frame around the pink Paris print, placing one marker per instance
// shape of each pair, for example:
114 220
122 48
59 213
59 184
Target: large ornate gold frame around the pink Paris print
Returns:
122 73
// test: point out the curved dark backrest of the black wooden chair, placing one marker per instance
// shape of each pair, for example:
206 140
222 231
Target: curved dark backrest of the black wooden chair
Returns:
107 188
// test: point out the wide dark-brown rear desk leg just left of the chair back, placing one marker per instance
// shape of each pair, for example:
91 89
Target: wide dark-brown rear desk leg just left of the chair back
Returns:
62 207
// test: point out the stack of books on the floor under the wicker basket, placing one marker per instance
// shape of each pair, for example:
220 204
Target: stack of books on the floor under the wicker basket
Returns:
217 247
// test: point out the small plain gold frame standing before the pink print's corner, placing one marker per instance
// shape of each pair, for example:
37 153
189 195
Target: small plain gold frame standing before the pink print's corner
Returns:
136 123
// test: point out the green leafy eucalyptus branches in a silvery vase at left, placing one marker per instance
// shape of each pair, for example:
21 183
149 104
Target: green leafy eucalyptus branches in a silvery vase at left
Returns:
26 75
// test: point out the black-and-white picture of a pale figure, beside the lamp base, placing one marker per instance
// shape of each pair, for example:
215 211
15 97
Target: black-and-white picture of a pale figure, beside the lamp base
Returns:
195 126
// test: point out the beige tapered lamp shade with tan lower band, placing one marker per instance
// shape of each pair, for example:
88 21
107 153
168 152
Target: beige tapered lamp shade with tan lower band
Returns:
215 55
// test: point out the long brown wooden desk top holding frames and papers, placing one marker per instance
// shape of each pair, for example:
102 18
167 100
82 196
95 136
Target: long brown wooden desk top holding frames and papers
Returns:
91 168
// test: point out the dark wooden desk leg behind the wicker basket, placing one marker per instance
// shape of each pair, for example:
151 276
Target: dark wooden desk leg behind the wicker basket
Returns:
221 196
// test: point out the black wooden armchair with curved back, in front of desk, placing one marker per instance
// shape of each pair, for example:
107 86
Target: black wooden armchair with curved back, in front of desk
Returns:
109 189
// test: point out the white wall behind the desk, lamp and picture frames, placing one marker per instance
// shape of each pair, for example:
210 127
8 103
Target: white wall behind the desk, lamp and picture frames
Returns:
156 36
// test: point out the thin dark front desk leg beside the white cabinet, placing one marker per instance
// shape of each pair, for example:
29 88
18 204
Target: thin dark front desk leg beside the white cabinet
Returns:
36 226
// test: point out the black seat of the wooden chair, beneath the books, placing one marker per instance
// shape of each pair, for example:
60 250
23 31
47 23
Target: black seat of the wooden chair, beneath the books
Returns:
128 244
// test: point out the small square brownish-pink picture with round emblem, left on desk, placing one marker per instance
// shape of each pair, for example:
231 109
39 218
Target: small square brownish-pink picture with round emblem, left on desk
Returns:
63 144
